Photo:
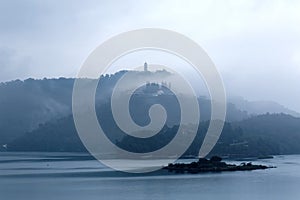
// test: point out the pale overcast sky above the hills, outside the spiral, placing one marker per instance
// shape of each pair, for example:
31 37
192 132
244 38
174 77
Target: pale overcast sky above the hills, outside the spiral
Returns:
254 44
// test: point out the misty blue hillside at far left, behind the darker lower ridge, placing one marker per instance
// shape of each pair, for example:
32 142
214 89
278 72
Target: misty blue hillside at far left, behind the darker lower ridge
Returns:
26 104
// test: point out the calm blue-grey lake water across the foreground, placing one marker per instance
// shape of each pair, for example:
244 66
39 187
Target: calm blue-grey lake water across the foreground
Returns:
74 176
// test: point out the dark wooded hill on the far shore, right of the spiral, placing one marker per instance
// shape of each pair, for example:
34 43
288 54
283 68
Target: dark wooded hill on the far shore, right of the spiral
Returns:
268 134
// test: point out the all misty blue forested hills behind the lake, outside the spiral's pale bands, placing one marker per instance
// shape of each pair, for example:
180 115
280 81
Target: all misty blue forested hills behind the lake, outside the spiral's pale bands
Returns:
36 116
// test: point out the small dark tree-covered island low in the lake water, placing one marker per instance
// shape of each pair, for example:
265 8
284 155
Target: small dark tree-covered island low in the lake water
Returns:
214 164
